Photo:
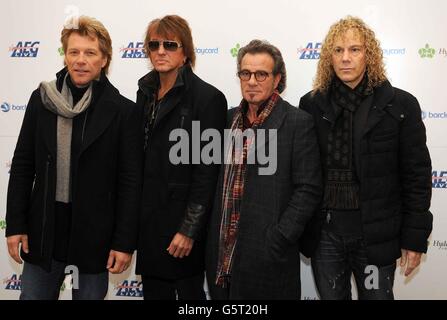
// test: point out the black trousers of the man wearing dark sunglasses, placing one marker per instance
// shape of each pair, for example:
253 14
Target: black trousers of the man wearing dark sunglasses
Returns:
183 289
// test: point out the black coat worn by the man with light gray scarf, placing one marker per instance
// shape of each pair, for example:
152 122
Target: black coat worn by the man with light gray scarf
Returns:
105 175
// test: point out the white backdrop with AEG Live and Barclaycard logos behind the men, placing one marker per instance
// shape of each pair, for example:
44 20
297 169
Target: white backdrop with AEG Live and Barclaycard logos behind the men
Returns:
412 33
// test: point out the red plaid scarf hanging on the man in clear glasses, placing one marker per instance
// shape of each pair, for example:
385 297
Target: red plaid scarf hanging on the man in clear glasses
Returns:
233 185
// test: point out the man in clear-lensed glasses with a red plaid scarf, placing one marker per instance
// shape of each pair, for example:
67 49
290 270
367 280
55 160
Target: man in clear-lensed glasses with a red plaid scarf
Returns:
257 219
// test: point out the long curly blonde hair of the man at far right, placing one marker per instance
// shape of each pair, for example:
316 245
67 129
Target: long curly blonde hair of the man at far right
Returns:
375 67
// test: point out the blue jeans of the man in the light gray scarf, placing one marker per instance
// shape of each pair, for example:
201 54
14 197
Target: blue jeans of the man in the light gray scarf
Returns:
38 284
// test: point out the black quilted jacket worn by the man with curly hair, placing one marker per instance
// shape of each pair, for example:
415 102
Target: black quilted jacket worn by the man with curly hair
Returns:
393 167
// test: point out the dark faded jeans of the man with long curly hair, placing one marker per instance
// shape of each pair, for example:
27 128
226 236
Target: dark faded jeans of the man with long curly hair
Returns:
337 258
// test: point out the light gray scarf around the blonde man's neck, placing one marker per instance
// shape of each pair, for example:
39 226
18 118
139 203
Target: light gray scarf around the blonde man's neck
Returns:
61 103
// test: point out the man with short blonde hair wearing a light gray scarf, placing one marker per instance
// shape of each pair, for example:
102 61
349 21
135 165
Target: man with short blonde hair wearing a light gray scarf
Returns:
75 176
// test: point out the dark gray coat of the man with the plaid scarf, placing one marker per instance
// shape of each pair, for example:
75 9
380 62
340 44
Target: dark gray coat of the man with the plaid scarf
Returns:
274 211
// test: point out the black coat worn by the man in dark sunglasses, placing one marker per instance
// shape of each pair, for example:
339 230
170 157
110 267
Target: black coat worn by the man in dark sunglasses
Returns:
176 197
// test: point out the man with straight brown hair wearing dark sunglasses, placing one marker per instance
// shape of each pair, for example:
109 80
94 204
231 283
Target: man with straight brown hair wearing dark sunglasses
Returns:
176 197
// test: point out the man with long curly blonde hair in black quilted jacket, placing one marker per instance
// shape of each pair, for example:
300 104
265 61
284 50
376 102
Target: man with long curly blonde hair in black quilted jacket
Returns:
376 165
